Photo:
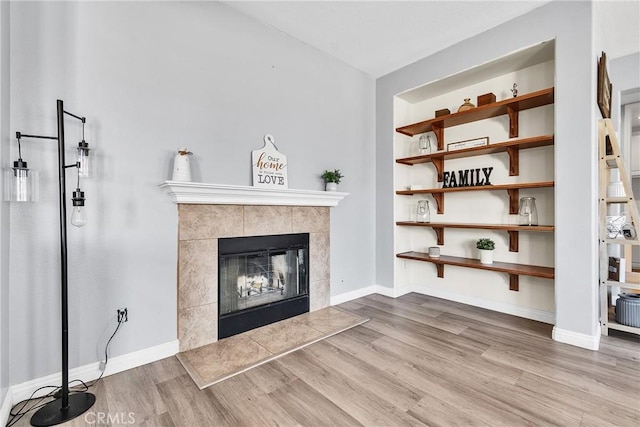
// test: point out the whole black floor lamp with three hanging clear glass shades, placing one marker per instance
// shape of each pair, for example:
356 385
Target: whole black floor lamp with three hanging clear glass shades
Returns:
68 406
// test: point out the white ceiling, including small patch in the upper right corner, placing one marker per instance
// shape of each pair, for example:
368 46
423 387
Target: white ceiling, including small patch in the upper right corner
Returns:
378 37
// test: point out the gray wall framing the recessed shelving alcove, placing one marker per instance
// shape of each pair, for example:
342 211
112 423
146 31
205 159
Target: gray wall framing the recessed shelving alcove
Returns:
570 23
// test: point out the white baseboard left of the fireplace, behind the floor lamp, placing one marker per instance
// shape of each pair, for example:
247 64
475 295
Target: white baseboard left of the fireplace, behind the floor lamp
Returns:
91 371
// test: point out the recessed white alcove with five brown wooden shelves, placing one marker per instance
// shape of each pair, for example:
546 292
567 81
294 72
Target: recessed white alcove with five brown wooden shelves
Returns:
520 158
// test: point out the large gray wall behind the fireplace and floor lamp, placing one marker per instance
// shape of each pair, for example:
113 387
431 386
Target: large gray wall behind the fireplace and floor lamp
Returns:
151 77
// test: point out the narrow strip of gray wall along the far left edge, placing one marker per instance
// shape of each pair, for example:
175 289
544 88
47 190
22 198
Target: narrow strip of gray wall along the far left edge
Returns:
4 207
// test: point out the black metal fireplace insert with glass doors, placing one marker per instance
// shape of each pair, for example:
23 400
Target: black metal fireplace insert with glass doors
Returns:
261 280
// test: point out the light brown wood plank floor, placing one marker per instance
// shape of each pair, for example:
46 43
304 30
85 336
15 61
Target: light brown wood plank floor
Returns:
418 361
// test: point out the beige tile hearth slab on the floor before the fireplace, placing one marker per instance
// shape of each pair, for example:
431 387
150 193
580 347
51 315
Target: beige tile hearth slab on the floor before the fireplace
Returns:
223 359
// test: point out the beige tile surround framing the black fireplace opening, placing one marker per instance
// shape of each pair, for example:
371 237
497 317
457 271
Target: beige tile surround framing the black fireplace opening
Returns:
200 226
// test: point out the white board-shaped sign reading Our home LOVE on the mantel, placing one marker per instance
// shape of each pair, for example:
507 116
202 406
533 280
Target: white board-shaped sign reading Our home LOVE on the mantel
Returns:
269 166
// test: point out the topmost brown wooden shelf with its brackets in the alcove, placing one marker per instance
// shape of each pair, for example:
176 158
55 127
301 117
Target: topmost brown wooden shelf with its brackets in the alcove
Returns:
510 106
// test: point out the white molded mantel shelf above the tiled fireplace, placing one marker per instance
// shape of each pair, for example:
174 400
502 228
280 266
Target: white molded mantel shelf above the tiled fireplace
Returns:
220 194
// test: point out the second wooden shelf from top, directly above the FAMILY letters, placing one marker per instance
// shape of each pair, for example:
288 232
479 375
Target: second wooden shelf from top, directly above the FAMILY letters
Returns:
510 147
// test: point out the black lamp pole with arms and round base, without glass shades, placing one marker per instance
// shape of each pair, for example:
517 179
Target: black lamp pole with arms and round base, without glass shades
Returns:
67 406
